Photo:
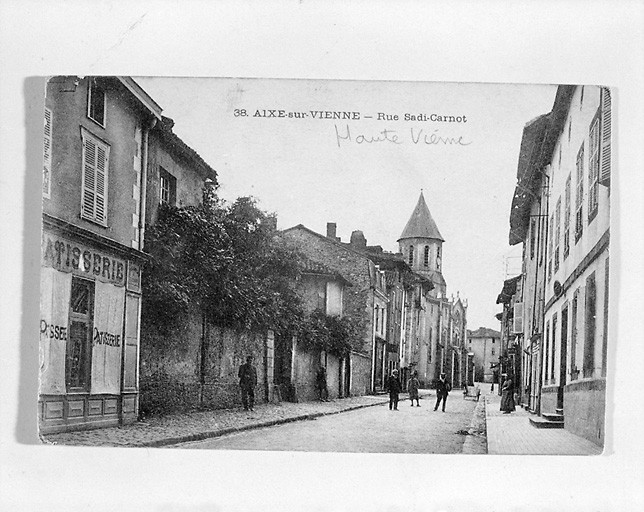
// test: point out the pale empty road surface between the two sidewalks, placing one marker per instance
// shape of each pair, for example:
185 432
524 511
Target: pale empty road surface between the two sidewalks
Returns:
373 429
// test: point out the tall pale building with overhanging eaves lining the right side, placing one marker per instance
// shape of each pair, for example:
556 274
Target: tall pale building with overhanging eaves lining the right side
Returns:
561 213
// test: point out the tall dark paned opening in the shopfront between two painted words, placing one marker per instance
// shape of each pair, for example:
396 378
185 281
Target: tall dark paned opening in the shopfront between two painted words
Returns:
79 345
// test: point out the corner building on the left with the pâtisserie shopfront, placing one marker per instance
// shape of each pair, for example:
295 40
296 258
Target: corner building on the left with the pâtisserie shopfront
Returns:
96 145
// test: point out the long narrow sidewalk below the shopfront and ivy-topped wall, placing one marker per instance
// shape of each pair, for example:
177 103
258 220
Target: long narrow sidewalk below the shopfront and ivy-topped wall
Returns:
166 430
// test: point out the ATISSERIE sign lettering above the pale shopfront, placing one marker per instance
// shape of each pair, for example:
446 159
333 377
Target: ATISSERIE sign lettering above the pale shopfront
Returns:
78 259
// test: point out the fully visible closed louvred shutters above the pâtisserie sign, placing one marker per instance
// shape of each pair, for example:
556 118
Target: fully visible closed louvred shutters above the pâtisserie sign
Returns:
94 183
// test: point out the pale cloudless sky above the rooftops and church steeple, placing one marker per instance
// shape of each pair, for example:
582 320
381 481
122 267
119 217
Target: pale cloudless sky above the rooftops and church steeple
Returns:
366 173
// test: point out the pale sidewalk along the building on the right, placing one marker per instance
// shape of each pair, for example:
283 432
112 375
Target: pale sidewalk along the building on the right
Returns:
512 434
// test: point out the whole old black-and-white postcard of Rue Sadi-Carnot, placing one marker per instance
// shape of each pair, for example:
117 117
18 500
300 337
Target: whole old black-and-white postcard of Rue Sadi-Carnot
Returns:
223 259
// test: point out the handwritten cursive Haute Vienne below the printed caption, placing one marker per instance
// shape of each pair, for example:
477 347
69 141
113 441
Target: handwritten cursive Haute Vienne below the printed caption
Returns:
344 135
